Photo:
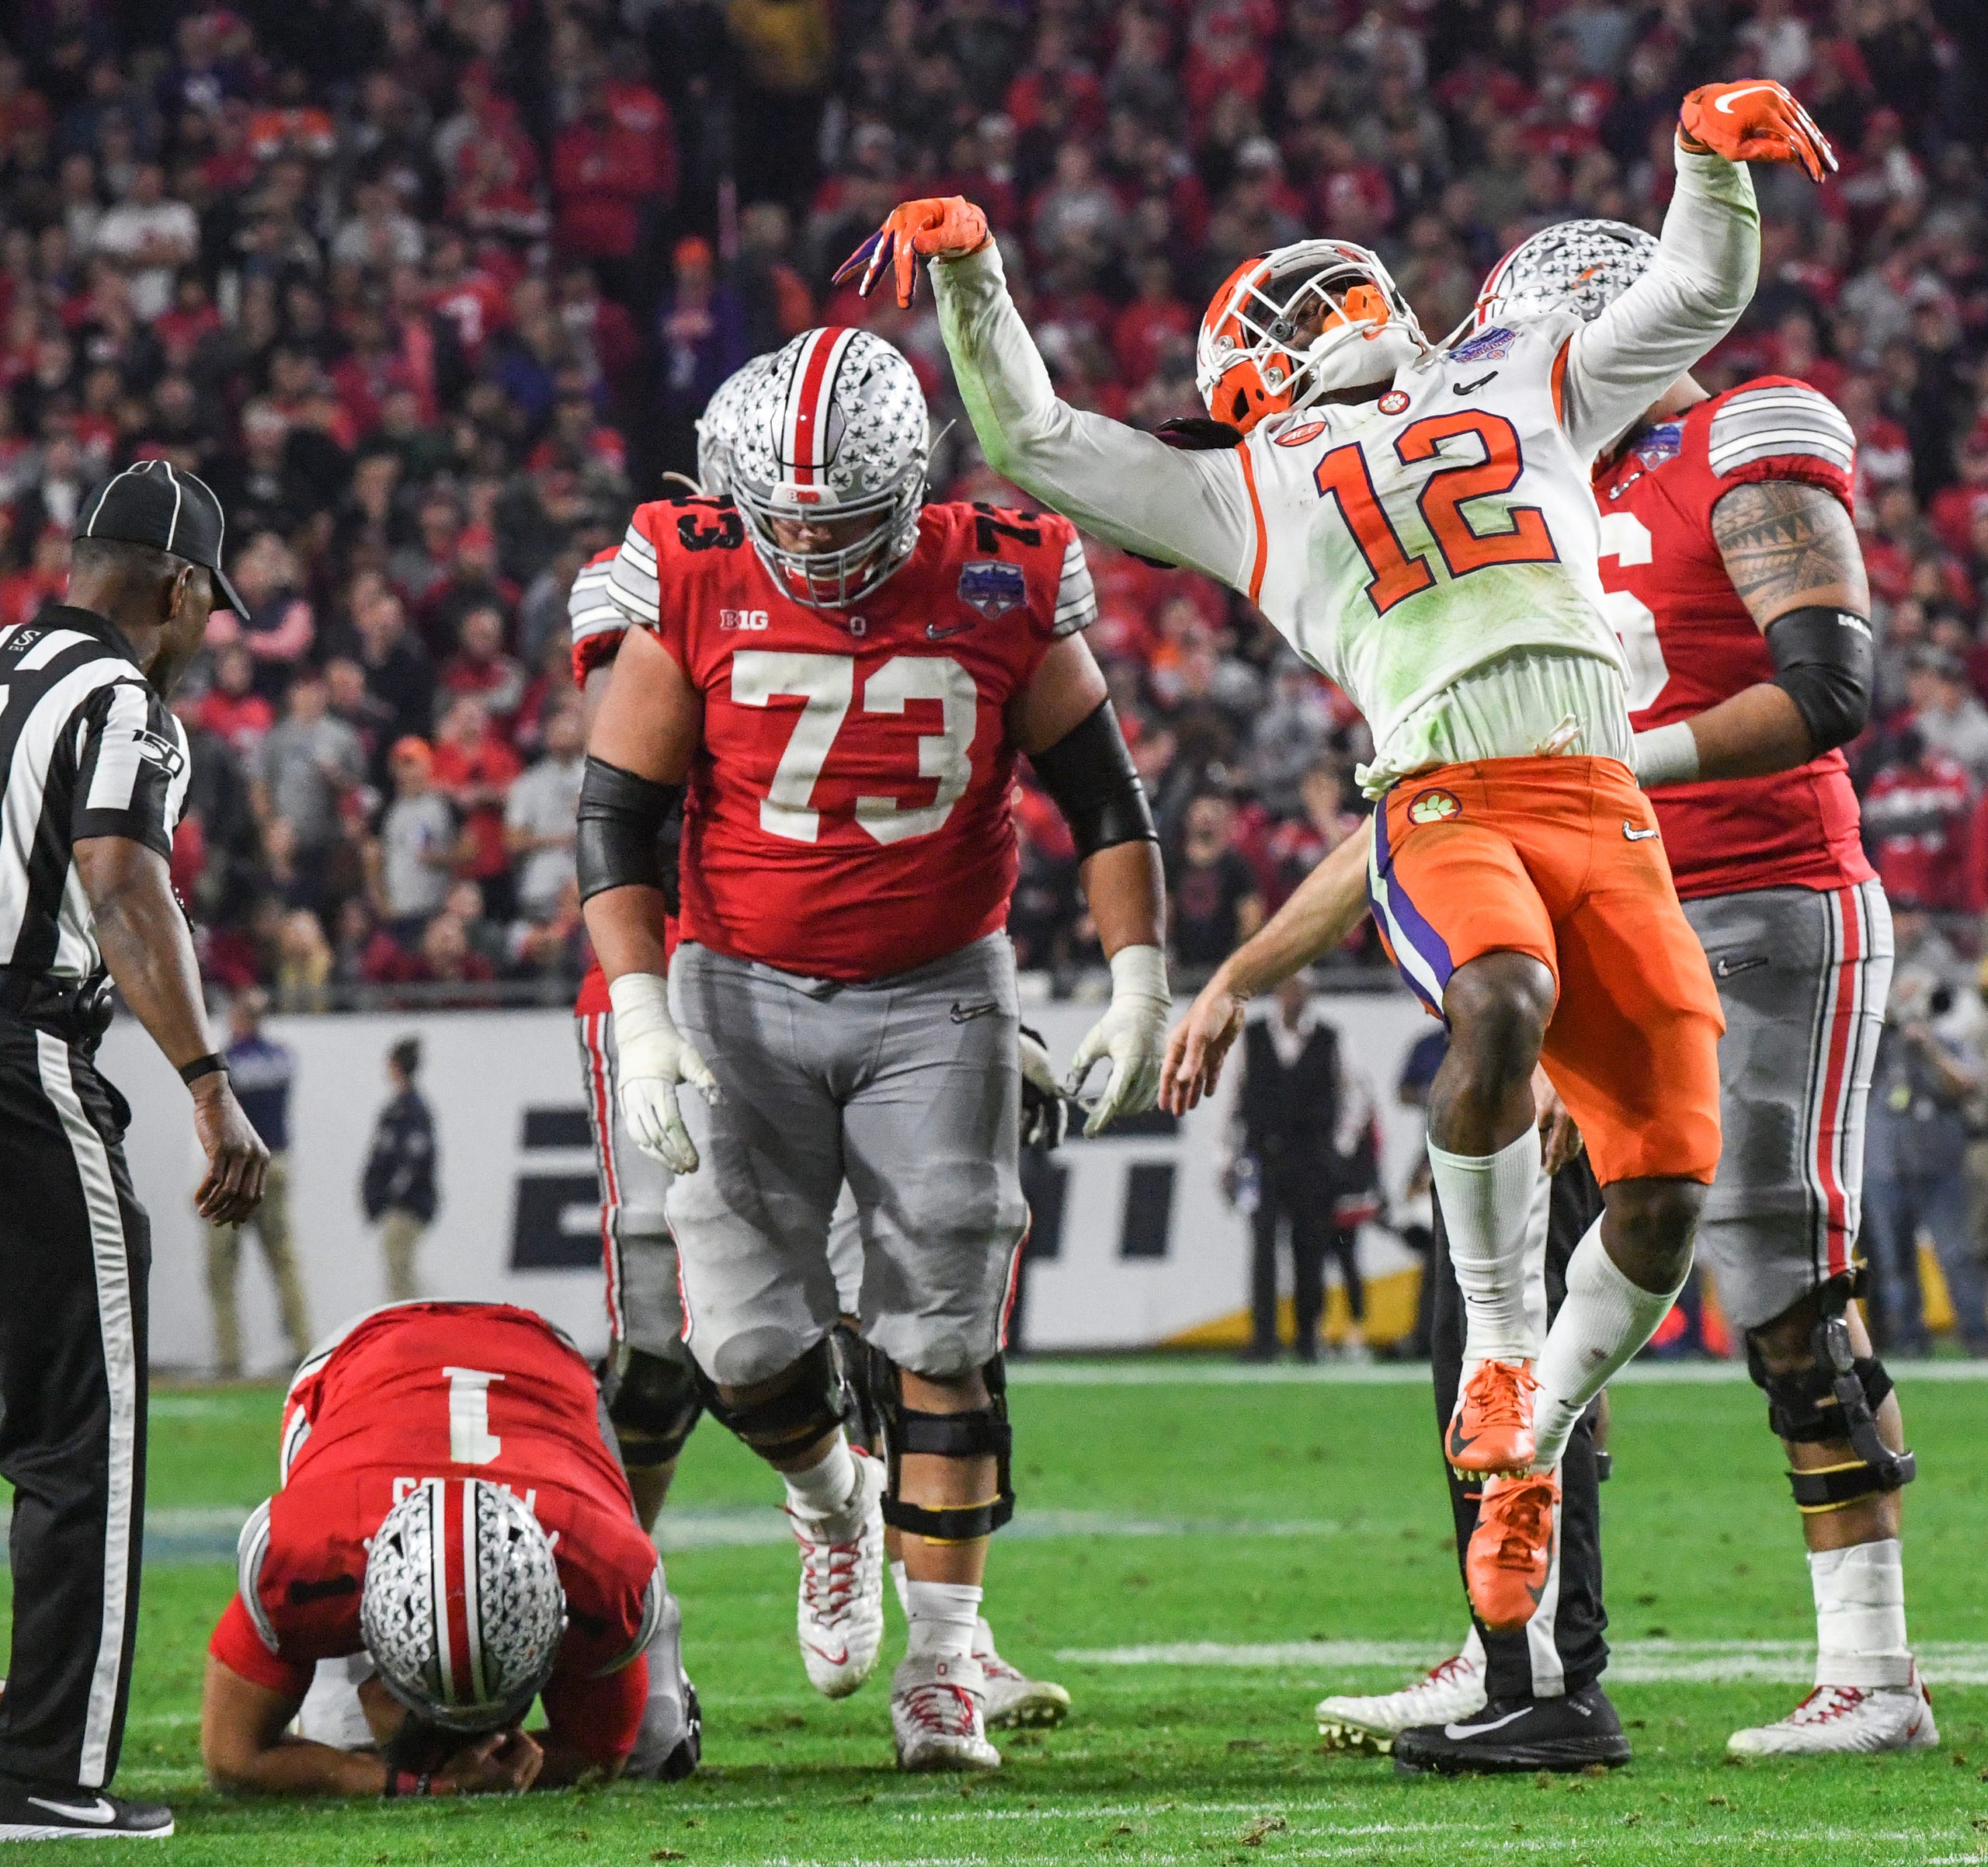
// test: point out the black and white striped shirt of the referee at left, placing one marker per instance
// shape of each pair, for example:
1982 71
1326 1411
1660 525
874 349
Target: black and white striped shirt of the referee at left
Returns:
88 749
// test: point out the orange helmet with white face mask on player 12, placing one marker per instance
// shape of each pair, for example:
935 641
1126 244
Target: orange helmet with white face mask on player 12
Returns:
1287 327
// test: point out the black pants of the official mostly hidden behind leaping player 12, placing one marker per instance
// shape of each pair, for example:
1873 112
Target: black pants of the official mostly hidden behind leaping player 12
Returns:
1562 1649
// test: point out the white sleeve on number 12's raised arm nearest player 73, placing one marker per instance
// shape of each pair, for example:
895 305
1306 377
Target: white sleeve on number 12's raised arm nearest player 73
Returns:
1108 478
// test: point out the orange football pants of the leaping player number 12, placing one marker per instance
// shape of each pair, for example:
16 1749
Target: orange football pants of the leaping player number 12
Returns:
1560 858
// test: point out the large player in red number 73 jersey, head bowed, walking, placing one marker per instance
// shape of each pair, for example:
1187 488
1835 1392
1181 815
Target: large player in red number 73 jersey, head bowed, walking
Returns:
838 681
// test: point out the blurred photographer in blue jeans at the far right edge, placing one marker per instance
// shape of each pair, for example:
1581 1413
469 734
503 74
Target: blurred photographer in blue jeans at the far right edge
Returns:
1915 1170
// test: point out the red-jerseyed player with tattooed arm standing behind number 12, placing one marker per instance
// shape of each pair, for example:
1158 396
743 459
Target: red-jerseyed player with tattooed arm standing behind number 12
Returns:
1739 588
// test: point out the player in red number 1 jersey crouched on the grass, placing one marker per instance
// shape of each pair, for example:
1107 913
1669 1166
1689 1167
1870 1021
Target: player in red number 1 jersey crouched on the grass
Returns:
454 1522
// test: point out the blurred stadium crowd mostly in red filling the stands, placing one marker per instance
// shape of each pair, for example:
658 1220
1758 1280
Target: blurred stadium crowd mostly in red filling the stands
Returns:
432 293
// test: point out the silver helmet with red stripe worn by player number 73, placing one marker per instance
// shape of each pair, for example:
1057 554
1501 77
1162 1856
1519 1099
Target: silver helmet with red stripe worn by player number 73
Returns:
828 466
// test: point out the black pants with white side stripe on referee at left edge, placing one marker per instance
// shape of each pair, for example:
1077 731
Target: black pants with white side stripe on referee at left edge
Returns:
75 1256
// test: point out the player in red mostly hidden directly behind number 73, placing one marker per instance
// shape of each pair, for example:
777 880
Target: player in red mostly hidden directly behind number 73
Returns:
649 1385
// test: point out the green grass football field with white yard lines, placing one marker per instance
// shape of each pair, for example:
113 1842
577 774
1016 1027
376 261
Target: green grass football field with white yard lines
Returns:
1198 1558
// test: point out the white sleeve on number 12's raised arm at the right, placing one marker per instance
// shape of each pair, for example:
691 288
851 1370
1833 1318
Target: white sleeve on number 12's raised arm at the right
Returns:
1697 289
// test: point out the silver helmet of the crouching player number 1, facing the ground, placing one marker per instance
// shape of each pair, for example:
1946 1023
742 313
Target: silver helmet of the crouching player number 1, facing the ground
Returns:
462 1610
